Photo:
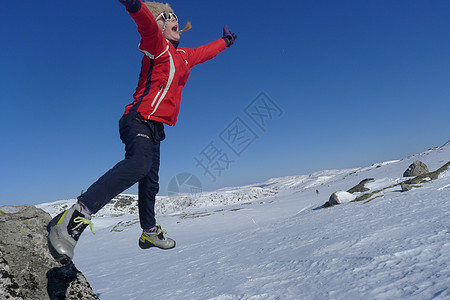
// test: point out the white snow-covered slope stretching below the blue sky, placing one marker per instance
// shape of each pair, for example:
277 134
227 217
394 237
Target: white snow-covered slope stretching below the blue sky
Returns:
274 240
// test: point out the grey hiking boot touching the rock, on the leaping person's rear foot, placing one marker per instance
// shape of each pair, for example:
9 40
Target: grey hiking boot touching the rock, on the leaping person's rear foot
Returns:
64 230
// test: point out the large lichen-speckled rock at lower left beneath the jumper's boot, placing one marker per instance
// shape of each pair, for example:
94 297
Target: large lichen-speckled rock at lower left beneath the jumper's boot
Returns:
27 270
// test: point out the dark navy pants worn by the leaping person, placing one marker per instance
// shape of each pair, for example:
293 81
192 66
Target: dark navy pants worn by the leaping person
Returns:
141 164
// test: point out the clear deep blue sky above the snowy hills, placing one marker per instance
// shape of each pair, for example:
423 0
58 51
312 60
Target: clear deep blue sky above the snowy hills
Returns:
355 83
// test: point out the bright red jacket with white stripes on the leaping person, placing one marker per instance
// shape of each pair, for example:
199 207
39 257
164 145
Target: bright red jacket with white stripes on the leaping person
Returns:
165 70
